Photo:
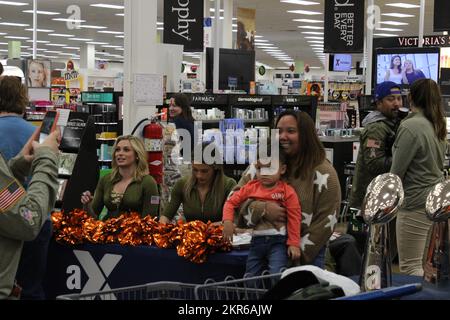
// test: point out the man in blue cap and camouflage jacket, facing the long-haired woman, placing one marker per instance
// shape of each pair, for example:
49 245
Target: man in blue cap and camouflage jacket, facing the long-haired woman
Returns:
375 154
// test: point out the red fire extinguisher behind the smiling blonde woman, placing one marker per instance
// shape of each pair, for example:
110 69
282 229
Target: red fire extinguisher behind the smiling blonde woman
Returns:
153 140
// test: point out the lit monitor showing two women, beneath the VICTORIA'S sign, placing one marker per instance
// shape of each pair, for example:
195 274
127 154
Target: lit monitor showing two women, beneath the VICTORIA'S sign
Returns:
406 65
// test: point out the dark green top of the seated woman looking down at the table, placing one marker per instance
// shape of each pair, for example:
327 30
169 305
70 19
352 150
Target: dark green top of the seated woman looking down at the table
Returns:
194 209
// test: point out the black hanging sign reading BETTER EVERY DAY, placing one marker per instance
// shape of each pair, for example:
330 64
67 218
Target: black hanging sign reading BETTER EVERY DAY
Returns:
344 26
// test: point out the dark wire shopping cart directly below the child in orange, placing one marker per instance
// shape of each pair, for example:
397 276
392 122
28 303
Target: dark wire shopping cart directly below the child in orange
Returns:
247 288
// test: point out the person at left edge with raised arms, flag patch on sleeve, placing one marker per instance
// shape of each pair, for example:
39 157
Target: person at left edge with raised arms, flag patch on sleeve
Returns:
22 213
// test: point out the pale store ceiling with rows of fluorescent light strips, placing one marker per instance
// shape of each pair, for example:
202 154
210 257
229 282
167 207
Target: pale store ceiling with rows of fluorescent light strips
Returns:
273 22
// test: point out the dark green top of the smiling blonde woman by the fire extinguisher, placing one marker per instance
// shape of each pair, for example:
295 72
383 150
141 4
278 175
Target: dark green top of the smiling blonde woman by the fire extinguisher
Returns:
141 197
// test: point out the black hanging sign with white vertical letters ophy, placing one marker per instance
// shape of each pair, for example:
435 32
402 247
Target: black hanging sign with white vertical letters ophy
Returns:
183 24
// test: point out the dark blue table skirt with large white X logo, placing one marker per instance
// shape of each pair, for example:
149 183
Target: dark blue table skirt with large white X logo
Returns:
91 268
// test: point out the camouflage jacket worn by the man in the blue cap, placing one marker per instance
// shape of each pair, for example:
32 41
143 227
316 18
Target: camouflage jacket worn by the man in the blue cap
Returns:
374 156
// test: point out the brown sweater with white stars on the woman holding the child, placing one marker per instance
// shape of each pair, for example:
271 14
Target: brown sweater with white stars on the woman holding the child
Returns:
320 199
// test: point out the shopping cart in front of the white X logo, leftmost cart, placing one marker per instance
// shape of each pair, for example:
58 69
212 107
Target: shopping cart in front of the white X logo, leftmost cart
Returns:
163 290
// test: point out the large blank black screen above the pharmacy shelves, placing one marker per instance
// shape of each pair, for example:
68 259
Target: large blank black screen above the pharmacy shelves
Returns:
238 64
